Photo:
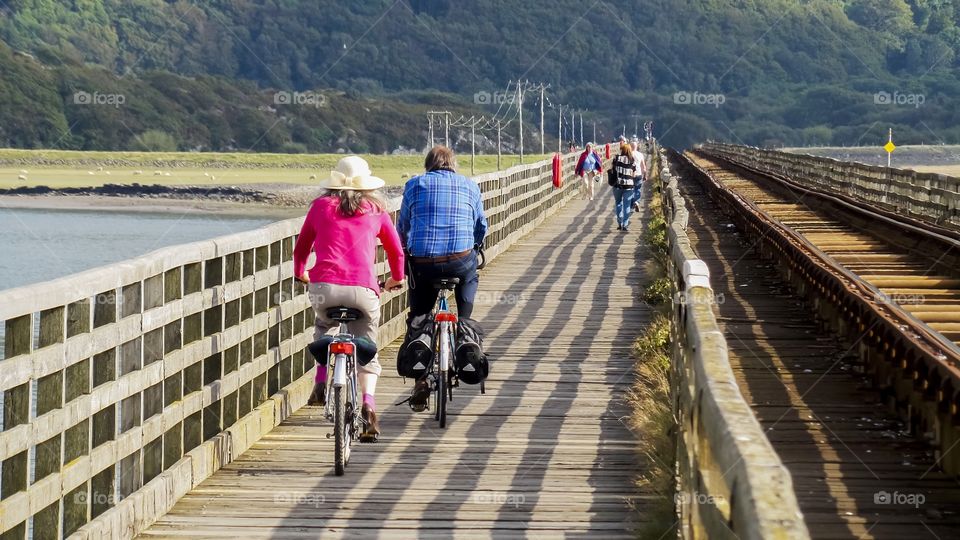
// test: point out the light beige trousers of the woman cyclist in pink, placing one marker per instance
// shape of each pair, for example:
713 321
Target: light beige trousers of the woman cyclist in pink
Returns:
327 295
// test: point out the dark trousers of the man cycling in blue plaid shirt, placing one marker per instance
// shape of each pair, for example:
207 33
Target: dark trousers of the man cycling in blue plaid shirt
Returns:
423 295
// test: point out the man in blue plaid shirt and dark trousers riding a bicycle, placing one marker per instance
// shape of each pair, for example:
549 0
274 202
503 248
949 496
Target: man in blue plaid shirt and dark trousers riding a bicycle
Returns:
441 221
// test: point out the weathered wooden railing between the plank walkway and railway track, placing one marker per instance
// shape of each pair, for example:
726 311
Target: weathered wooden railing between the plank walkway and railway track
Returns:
731 481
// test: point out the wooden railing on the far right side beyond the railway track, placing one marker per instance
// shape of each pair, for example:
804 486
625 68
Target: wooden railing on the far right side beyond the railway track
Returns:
930 197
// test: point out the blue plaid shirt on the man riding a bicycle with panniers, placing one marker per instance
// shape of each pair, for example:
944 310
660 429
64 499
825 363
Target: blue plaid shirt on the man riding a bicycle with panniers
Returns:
441 214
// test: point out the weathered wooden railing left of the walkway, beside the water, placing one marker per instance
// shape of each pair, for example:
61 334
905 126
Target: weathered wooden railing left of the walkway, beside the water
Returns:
126 386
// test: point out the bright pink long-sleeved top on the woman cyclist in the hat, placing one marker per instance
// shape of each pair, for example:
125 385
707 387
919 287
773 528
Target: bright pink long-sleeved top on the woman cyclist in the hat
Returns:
346 246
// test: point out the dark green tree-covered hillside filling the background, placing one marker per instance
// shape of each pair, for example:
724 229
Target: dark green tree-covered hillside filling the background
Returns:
207 74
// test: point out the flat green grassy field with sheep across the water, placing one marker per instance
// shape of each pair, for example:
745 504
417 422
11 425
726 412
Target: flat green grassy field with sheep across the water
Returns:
88 169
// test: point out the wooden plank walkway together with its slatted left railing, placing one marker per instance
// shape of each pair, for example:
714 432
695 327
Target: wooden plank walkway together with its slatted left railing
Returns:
164 396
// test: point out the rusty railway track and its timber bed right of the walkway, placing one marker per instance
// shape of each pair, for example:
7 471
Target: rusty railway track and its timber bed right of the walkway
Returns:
828 400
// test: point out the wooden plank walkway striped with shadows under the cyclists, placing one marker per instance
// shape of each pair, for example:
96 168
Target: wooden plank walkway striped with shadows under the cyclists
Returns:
545 452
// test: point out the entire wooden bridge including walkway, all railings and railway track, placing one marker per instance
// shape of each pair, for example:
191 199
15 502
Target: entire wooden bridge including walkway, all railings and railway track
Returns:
165 396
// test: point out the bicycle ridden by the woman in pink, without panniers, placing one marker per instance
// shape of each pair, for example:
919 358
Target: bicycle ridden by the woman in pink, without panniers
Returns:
343 409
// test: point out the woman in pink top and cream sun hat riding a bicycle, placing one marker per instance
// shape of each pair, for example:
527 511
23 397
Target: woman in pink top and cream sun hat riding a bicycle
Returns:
342 228
